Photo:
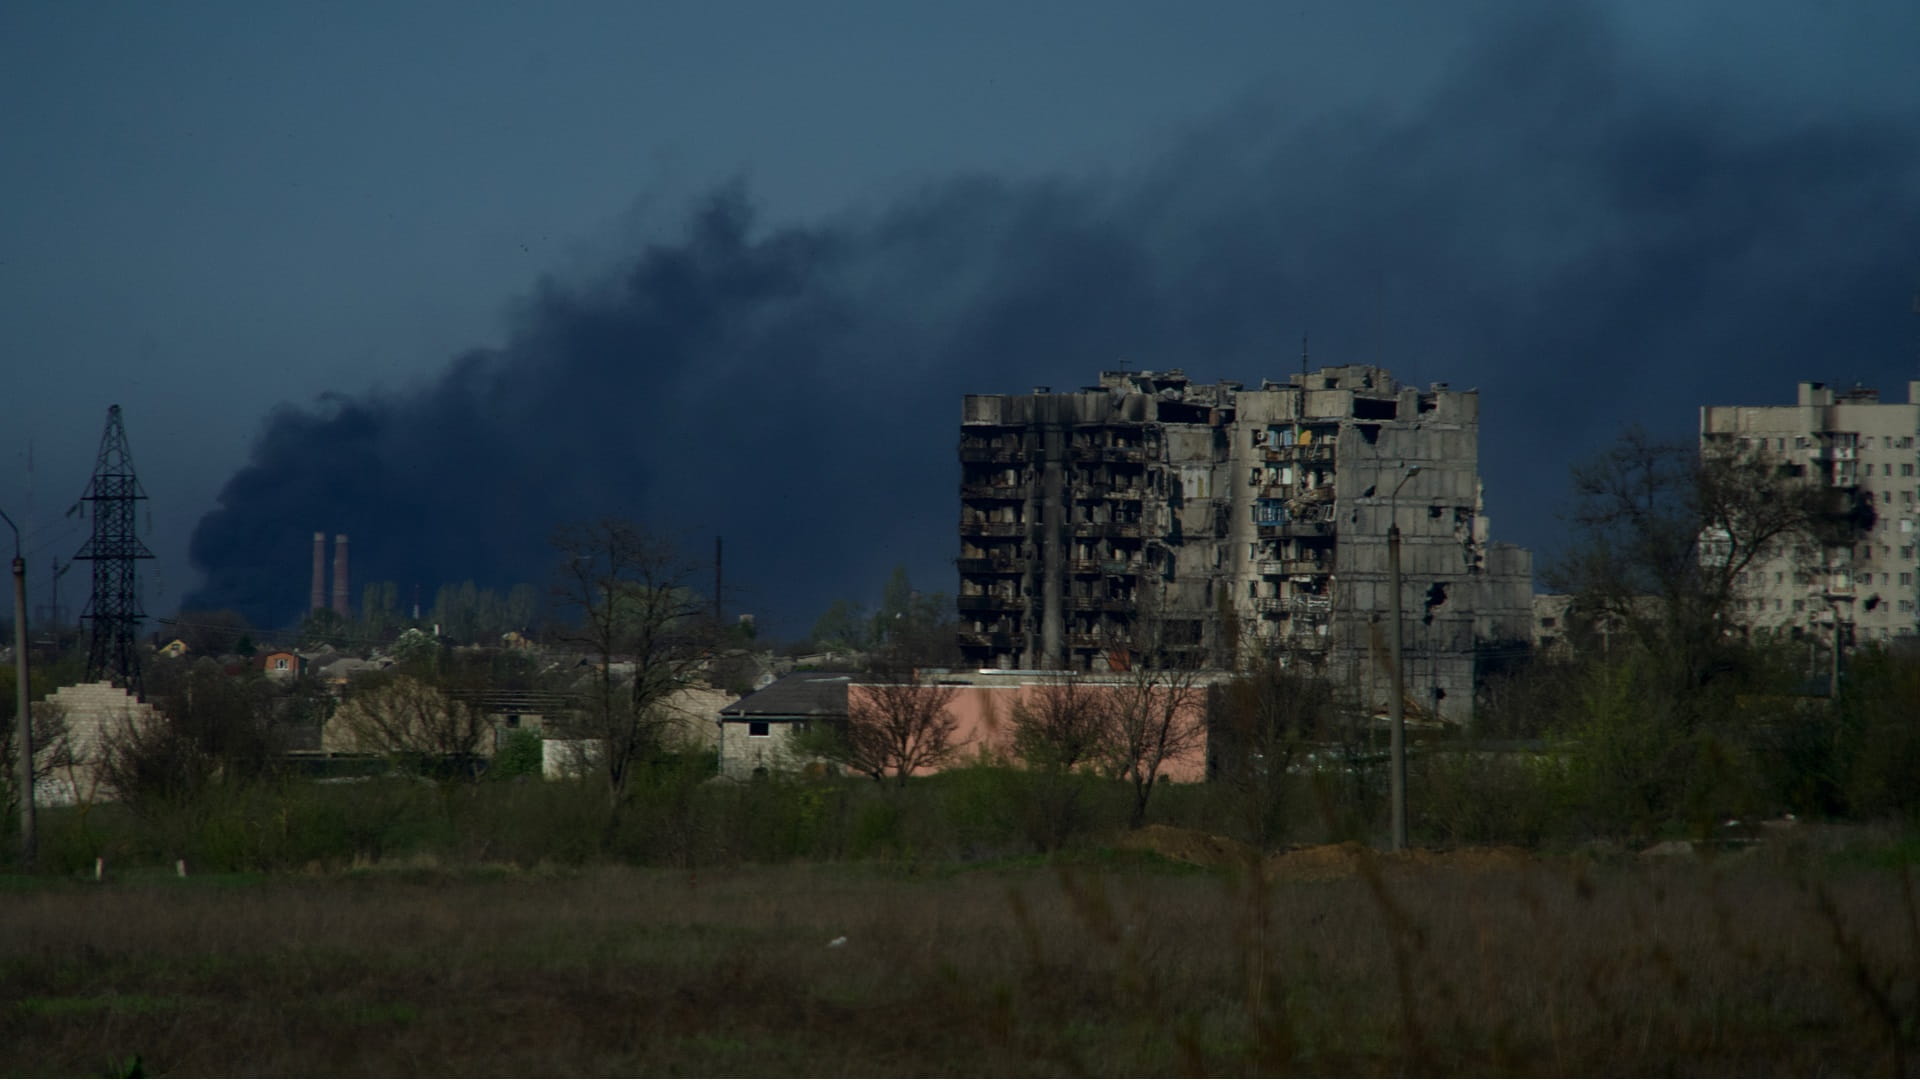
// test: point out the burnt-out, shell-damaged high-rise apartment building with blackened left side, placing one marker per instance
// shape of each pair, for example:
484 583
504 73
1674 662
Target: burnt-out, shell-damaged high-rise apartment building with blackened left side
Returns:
1222 526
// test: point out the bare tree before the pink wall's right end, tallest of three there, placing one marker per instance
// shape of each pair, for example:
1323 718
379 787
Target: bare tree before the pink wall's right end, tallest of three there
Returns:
1159 710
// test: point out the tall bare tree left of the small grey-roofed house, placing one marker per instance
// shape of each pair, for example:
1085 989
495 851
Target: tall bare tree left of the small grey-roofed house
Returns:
636 608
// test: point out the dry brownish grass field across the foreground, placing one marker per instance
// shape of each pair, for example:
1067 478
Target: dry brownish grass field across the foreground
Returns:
1777 962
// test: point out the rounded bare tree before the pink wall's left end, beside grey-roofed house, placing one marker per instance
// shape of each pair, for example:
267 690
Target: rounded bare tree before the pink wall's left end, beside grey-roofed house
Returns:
900 722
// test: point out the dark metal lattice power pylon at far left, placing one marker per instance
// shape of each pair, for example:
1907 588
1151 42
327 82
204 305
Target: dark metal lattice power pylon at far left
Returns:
114 610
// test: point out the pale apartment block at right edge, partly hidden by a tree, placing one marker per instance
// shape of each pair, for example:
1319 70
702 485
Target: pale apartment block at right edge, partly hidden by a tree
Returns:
1848 441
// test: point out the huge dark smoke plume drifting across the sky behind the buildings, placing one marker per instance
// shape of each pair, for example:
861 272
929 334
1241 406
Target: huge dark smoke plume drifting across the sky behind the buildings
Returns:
1585 241
